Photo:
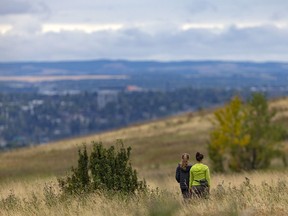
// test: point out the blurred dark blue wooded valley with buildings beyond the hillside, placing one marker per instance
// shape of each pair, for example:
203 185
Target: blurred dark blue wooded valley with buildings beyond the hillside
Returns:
31 118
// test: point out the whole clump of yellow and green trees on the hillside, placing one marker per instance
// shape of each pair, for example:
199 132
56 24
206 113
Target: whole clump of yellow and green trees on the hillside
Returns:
244 136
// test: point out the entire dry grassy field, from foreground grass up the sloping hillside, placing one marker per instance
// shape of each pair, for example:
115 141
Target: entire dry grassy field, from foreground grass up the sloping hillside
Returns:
28 177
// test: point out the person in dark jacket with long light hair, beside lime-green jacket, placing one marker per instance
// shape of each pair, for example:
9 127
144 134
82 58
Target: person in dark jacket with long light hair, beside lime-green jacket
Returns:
183 174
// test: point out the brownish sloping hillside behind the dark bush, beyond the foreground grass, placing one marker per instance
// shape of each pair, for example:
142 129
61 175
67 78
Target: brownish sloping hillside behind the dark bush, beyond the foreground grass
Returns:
156 145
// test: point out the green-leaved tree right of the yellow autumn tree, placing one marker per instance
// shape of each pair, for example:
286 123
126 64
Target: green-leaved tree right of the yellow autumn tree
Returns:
265 135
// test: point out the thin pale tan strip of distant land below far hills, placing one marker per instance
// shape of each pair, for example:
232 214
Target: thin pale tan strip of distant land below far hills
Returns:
59 78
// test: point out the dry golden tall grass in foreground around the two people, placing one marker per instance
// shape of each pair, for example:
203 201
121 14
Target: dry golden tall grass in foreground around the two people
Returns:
258 193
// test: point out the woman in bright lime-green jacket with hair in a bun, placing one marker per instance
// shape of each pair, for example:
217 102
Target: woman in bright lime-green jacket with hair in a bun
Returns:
200 182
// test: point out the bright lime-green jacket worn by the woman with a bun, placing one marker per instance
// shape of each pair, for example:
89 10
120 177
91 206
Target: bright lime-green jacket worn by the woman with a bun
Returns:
197 172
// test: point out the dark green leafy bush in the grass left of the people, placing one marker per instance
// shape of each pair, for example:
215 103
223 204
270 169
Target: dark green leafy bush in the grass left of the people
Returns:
106 169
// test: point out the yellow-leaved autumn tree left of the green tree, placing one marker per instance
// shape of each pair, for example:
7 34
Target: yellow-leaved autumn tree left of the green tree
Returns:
229 136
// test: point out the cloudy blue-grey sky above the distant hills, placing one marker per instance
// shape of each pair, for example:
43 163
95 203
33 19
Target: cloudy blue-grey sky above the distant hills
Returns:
162 30
